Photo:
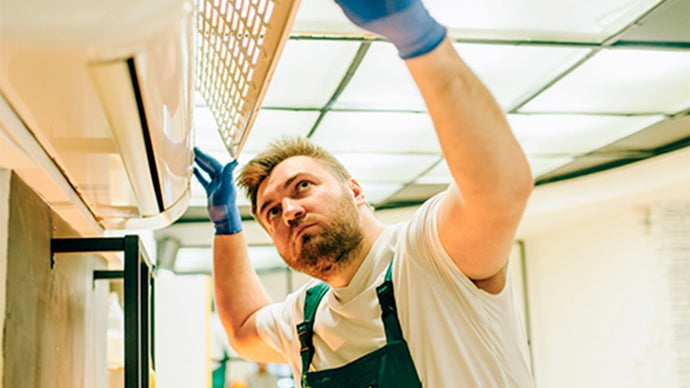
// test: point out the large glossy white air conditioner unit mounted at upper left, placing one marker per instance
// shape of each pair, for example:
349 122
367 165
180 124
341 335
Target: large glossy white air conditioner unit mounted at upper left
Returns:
105 88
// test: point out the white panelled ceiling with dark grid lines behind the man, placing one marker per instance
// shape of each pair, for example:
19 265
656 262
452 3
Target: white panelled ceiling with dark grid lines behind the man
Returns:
587 85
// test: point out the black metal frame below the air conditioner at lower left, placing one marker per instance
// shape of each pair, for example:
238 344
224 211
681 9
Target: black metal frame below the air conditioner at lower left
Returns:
139 298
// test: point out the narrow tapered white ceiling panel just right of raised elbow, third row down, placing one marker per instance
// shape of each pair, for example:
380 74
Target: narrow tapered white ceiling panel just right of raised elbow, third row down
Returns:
573 134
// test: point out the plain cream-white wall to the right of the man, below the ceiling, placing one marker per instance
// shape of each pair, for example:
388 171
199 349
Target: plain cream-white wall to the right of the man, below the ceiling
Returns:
609 279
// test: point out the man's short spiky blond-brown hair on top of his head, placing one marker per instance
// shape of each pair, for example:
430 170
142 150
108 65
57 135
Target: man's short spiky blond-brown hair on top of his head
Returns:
260 167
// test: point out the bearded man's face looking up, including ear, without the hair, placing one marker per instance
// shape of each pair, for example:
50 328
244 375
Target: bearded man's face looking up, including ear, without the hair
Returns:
311 216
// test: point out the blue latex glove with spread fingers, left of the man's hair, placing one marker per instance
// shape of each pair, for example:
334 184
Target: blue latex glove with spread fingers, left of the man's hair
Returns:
221 192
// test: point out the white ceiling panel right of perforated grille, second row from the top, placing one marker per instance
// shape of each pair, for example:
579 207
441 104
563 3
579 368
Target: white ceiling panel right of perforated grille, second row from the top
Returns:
308 73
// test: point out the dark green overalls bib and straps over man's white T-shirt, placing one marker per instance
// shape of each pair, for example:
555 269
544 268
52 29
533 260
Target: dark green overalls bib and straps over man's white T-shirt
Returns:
388 367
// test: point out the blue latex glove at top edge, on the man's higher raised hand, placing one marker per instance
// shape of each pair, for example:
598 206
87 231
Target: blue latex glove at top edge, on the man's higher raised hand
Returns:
405 23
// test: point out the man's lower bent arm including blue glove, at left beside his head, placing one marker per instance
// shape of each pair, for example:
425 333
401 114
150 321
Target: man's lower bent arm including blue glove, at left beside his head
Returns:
238 291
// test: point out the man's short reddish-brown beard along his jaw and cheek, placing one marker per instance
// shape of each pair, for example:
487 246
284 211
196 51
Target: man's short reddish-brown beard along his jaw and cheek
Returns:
334 246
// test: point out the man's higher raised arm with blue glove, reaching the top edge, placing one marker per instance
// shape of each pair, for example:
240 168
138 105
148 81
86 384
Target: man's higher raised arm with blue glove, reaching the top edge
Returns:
491 178
